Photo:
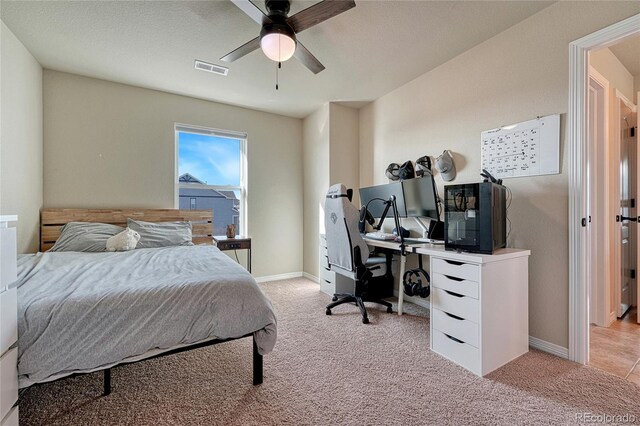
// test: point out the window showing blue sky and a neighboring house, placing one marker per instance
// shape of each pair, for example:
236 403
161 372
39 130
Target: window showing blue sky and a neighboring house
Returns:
212 175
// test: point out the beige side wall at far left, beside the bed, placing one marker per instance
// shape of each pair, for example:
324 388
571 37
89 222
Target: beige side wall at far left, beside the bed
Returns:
21 139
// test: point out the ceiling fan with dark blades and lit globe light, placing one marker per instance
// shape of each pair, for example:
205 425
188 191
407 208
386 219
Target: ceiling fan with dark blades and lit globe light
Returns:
278 34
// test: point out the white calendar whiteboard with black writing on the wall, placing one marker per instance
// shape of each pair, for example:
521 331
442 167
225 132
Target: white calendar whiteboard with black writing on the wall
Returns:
530 148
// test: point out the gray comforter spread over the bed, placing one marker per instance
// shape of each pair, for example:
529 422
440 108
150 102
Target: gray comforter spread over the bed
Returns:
82 311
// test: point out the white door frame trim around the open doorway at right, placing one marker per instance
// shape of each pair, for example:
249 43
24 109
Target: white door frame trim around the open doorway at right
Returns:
578 191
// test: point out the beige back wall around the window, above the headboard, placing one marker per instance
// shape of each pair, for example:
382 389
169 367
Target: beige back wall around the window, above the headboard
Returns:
112 145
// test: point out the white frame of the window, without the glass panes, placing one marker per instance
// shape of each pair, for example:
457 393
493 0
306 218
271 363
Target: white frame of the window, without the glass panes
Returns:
242 188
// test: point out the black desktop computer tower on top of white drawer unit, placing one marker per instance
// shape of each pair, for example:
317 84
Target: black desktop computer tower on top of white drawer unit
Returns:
475 217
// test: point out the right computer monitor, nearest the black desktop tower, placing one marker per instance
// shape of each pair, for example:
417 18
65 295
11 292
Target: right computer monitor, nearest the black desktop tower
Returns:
421 197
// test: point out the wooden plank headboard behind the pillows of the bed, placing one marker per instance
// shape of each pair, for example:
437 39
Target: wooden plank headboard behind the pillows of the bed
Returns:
51 220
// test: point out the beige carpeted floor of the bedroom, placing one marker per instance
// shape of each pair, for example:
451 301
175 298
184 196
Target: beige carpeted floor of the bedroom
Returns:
331 370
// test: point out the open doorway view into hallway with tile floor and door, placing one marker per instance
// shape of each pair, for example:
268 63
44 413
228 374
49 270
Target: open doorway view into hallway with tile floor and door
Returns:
612 158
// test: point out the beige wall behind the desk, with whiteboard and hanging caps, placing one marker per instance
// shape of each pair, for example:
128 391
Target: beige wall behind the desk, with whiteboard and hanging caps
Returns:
515 76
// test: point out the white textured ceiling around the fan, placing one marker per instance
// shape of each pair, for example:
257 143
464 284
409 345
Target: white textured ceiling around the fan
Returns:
368 51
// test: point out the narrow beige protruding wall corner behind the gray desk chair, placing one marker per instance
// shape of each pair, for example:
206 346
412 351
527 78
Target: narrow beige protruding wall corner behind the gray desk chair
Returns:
330 155
